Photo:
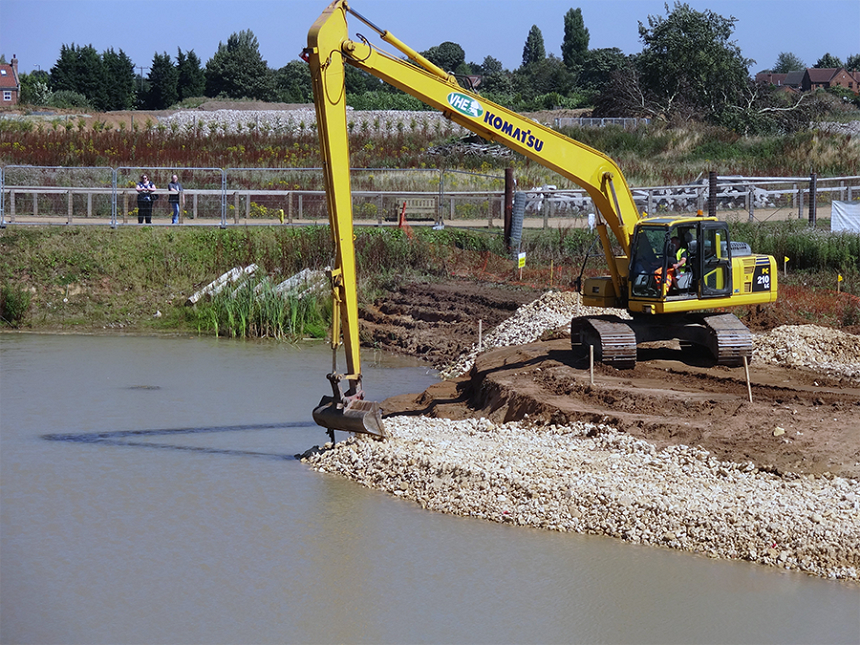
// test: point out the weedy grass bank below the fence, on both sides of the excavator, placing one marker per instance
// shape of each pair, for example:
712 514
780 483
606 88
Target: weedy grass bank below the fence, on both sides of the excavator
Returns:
89 279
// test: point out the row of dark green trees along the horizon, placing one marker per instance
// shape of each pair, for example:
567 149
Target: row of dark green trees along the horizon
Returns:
689 69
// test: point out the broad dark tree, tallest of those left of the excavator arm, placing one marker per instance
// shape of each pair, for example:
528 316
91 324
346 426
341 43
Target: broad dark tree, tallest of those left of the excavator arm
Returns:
237 70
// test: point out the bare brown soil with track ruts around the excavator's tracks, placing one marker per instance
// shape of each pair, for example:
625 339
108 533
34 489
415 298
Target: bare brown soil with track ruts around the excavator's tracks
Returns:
798 421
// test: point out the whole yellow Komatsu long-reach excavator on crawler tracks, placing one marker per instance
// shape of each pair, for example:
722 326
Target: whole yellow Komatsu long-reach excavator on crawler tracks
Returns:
665 302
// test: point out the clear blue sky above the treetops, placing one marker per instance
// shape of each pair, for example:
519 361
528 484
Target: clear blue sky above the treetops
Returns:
36 30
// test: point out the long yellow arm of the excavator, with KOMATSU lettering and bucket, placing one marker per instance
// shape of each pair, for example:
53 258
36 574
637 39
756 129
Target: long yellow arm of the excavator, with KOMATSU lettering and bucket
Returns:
329 49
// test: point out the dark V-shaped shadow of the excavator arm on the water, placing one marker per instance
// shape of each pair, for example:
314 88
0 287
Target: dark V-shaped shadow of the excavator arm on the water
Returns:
127 438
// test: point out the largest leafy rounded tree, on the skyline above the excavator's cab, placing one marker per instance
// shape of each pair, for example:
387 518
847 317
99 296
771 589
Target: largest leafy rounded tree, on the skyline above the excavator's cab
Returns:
689 65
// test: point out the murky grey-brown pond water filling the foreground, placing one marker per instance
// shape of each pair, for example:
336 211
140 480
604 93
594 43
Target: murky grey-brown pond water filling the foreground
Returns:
149 494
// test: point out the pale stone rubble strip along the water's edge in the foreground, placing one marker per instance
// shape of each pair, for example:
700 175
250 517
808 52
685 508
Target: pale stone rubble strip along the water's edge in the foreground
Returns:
593 479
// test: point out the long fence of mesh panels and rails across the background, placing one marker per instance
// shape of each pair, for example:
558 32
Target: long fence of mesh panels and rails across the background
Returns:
295 196
